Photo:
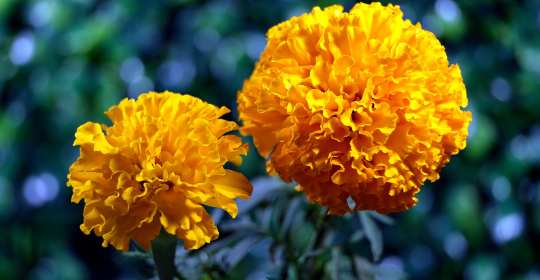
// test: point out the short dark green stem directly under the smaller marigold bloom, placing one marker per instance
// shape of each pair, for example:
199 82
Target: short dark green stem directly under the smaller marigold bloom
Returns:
163 251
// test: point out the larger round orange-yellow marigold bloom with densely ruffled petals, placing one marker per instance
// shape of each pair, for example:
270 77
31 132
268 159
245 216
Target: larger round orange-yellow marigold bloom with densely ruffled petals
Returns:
360 105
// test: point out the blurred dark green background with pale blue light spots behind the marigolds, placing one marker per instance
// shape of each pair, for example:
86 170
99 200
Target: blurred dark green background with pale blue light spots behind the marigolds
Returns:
64 62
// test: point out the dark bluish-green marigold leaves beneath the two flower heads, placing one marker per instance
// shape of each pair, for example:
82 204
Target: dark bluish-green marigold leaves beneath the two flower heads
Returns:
278 235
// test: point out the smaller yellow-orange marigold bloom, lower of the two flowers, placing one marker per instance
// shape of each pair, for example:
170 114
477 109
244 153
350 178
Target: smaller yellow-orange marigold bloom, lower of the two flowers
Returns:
156 167
